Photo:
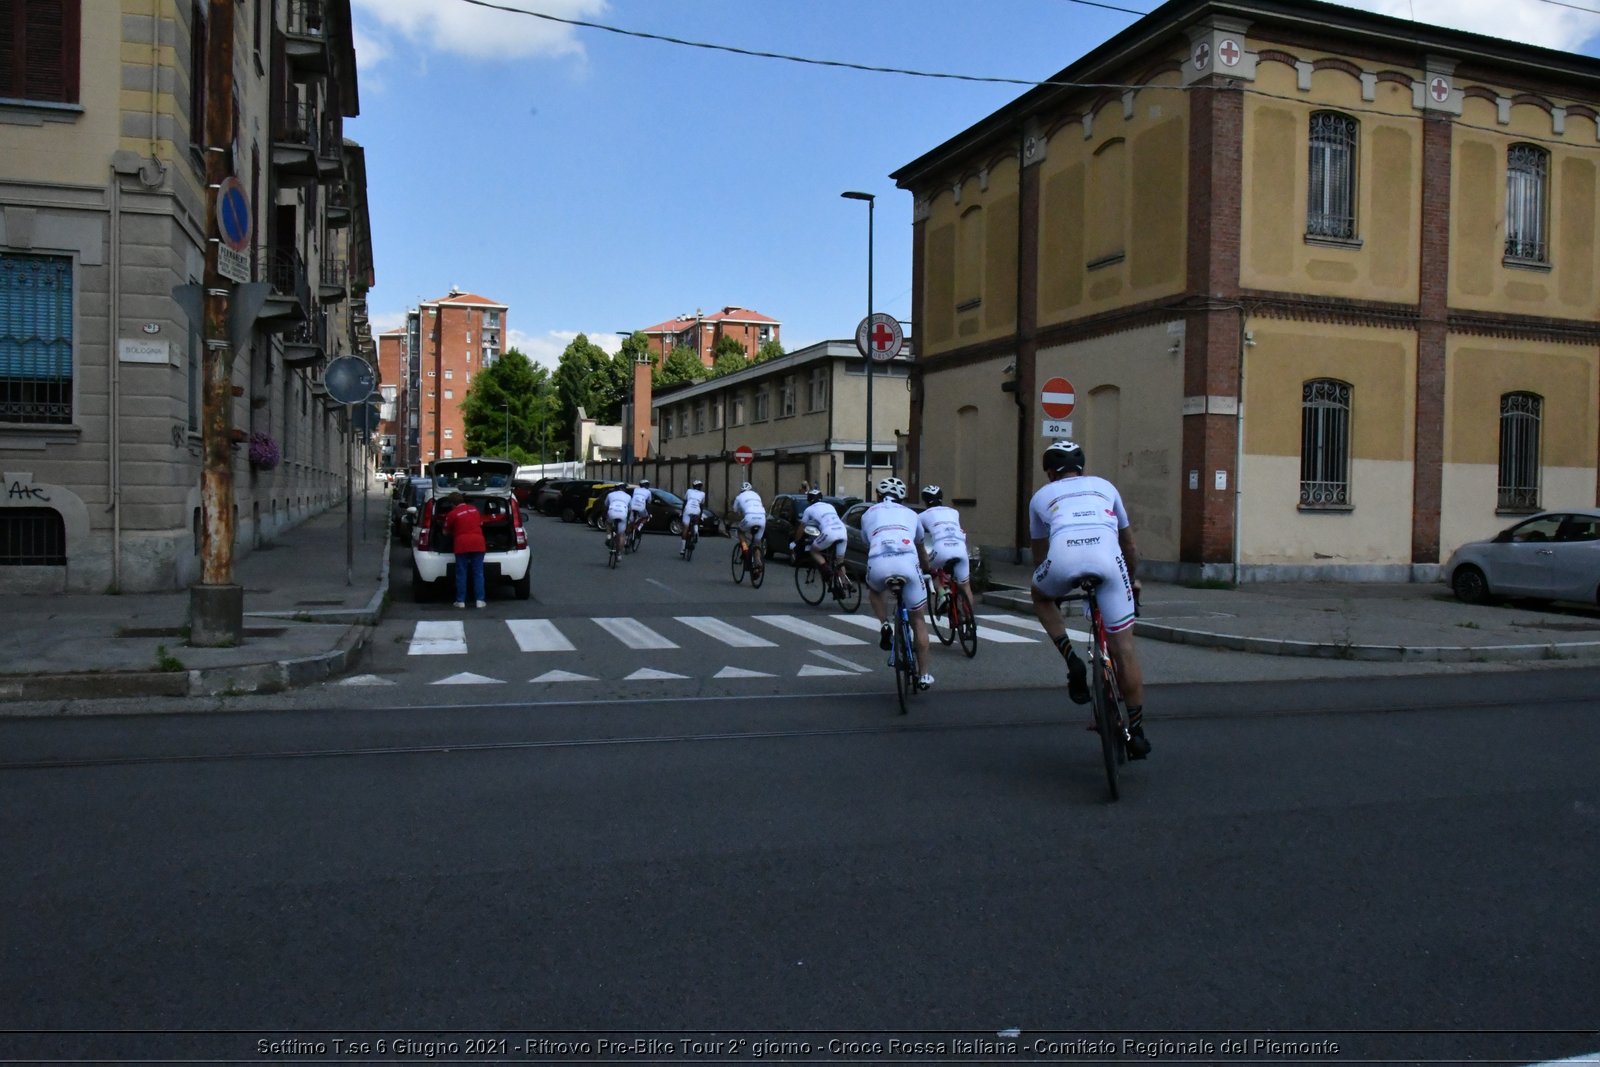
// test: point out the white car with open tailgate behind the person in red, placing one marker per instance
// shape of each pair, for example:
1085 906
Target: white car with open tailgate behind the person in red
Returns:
487 486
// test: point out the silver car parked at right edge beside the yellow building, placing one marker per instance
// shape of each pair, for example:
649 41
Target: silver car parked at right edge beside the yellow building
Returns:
1553 556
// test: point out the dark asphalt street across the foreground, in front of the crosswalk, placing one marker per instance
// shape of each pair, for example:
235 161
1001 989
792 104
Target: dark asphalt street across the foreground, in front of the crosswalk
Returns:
1351 858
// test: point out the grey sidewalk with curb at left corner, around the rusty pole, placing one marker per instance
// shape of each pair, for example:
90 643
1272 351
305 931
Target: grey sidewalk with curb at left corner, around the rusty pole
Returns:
303 623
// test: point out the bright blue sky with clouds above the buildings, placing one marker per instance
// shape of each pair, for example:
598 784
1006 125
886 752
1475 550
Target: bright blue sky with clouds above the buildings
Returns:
599 183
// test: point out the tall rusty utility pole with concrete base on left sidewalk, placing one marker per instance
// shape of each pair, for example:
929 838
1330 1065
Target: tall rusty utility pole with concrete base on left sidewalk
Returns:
217 605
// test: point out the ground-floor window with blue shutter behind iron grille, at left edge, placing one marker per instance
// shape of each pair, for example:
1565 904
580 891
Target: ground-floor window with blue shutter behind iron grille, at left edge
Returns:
36 338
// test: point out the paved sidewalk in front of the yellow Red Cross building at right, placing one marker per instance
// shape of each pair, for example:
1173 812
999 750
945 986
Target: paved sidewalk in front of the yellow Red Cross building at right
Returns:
1382 623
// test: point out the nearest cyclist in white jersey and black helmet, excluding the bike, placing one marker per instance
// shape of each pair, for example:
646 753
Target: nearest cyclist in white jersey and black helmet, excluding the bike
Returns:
1079 527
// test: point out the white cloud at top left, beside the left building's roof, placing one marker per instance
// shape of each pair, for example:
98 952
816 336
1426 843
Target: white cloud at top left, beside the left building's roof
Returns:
452 26
